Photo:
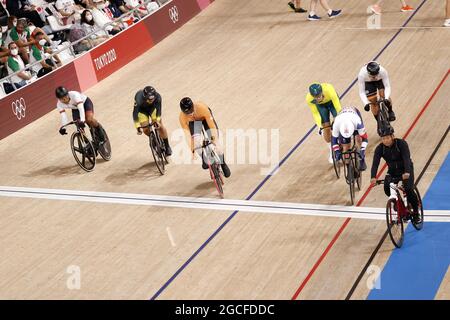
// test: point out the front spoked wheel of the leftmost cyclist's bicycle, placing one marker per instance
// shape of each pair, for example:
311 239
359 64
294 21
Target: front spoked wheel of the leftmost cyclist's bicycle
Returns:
83 151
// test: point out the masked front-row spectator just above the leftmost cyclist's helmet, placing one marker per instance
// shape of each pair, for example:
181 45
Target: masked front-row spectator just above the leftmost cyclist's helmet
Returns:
38 52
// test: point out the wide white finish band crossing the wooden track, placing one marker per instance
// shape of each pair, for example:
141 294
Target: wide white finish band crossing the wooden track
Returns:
211 204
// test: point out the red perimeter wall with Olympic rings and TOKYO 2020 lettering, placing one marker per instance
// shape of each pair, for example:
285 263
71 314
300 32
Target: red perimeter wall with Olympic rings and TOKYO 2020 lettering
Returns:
35 100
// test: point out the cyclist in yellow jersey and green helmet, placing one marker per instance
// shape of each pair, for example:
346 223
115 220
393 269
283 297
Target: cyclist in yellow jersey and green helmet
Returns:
322 99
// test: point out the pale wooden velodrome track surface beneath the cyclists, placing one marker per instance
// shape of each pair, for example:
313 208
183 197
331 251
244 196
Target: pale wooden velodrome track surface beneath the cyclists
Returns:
252 62
